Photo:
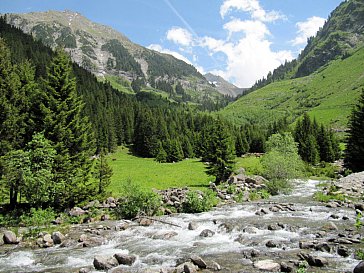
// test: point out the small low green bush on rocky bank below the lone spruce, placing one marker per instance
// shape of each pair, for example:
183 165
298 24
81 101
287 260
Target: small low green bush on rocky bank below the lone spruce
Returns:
196 203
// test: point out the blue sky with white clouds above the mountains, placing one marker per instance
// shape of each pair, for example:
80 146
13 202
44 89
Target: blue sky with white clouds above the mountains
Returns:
240 40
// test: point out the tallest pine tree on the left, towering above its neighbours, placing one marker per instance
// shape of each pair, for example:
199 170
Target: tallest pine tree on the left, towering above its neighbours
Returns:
70 132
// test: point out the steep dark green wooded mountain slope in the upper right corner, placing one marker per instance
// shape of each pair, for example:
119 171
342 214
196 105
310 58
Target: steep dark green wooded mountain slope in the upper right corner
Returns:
340 36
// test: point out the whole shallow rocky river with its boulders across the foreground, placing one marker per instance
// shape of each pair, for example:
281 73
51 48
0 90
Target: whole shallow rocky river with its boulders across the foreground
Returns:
263 236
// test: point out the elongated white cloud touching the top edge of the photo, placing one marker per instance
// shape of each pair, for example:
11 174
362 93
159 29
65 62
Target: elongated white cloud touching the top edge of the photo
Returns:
251 6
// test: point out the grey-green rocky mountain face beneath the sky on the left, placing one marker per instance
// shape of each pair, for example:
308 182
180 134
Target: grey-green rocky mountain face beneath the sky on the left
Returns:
104 51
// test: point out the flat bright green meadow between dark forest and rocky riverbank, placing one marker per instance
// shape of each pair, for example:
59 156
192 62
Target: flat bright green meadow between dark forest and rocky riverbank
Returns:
150 174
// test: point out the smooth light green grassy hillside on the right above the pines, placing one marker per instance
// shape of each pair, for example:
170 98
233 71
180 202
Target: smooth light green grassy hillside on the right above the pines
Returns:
328 94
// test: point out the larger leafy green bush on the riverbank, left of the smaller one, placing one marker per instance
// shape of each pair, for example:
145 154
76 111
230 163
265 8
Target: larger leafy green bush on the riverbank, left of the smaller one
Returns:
136 202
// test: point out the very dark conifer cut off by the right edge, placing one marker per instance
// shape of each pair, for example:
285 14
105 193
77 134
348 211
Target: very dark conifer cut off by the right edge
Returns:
354 154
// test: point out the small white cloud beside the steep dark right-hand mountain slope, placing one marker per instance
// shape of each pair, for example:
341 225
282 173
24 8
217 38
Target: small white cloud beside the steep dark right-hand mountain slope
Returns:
307 29
